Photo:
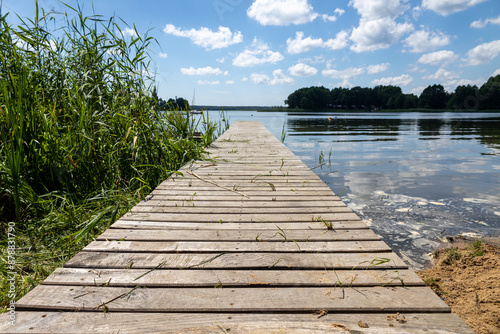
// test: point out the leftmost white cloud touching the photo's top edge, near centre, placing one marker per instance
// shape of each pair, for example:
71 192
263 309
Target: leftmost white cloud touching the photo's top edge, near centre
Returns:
281 12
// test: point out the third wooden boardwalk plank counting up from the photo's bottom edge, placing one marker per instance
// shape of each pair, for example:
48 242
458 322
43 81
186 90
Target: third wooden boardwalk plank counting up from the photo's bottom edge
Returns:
232 278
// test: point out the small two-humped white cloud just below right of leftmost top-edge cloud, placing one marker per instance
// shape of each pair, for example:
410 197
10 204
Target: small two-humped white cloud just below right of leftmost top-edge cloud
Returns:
299 44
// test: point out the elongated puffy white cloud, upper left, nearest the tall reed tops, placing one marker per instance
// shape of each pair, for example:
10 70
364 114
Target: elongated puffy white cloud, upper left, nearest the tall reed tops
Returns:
207 38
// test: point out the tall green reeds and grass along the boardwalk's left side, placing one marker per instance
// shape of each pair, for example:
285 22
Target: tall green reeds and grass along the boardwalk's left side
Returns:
81 140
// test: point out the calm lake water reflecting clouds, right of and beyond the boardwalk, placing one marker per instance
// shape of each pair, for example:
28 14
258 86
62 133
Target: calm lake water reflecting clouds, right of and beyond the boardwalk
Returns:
414 178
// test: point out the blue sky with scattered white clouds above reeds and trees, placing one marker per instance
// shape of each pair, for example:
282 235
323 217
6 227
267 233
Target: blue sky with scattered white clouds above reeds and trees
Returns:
236 52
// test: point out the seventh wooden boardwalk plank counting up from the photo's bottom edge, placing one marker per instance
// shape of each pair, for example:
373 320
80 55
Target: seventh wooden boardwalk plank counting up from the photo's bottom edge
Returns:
144 224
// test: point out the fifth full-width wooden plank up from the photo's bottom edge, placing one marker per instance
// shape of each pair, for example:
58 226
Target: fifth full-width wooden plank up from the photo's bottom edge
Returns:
227 246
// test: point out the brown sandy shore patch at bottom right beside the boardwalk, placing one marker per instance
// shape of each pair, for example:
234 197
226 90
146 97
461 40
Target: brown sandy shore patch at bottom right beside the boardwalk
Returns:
465 274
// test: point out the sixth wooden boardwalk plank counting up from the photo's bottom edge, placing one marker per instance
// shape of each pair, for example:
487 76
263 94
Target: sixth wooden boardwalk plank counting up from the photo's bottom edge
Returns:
272 234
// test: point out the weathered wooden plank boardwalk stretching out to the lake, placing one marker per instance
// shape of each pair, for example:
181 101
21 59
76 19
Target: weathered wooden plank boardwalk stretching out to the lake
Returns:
248 241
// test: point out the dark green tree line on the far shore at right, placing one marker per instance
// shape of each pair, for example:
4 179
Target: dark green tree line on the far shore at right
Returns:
486 97
